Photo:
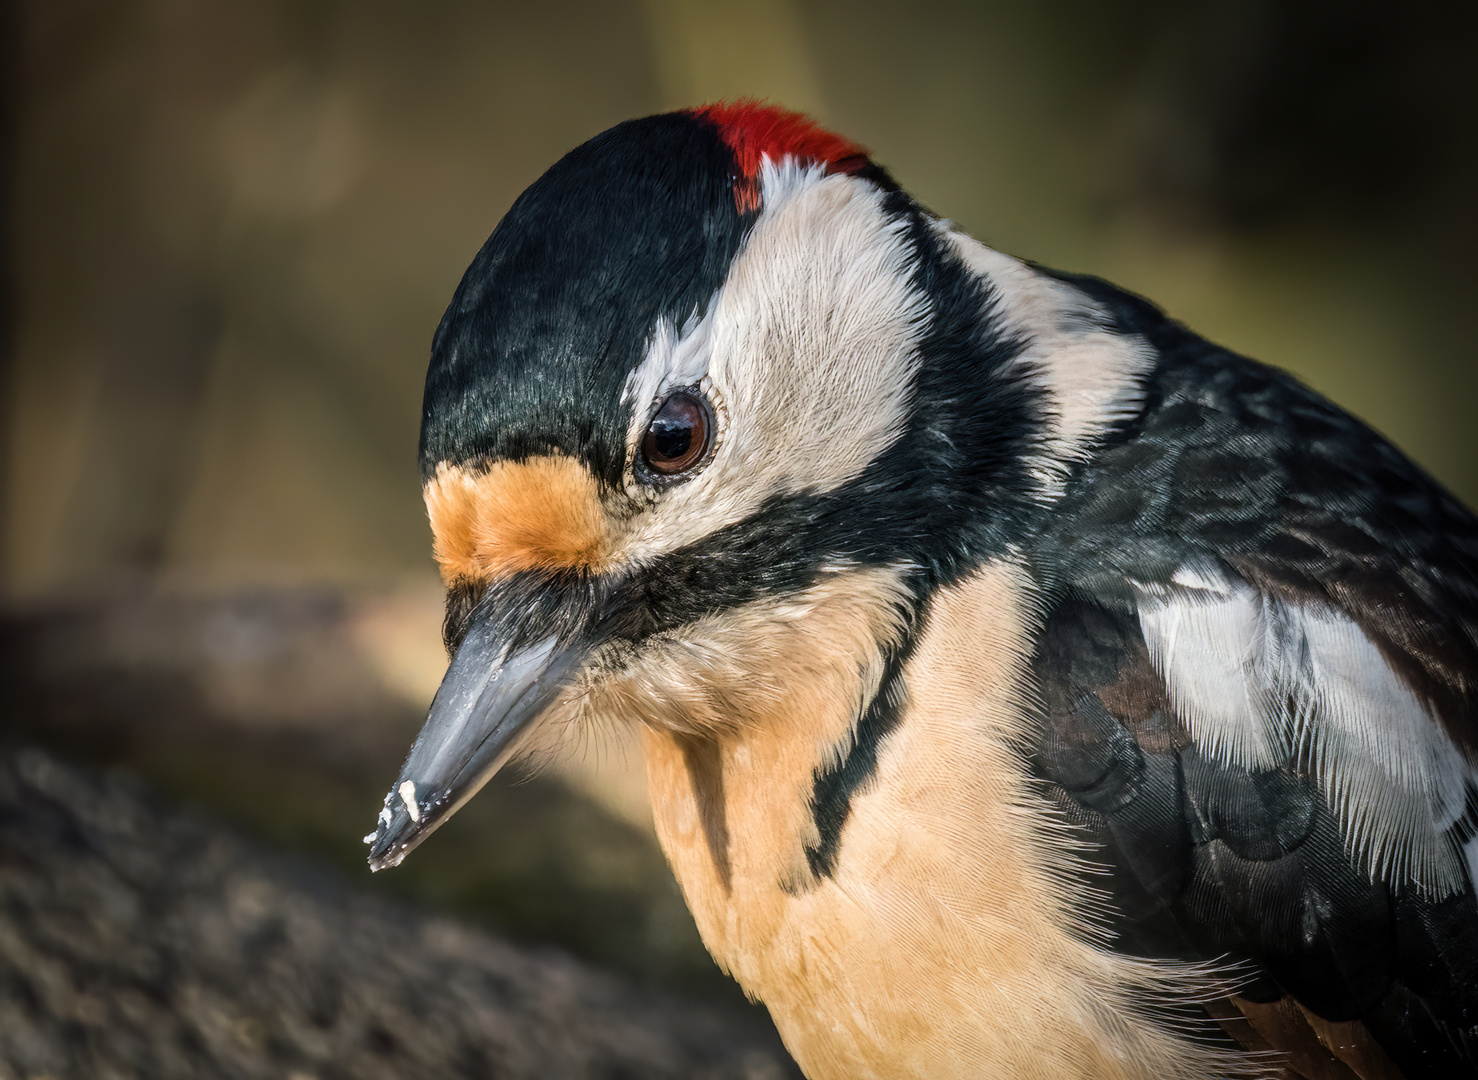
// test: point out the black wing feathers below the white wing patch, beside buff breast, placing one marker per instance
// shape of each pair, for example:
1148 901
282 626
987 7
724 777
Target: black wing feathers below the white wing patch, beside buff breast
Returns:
1211 862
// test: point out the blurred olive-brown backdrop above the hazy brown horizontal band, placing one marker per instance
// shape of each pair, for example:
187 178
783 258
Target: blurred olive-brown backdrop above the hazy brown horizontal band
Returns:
236 225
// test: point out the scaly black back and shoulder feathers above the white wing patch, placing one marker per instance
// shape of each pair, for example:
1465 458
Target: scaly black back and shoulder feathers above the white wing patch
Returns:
1241 463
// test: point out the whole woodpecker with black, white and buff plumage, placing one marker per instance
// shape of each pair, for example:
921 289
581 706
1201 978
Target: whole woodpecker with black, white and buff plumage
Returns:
1028 686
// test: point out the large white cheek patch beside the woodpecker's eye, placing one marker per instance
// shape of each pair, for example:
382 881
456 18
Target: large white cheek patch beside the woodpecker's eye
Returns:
809 349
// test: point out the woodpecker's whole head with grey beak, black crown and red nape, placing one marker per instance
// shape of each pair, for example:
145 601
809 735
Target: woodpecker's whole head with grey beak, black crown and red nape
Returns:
710 416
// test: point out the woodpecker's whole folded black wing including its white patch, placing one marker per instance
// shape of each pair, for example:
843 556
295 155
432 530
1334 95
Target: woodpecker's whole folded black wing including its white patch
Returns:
1259 680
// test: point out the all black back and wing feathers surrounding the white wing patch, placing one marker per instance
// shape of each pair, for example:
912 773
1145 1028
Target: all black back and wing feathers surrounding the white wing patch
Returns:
1239 468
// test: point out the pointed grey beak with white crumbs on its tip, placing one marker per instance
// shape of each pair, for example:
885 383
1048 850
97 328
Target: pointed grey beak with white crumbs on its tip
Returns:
487 704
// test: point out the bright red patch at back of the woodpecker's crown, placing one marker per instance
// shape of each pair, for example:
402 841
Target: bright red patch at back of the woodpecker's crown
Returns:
756 131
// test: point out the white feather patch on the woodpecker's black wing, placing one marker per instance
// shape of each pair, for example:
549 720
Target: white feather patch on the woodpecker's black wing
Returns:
1263 683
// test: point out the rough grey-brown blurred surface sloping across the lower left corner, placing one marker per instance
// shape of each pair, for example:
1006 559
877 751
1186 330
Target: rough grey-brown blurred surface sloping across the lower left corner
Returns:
141 942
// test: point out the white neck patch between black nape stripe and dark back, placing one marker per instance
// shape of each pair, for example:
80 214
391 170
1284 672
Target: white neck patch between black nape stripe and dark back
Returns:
1093 376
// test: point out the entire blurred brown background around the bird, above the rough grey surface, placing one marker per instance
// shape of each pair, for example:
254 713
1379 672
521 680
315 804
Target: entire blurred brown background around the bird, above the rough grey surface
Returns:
233 230
